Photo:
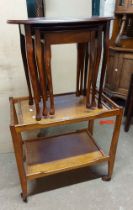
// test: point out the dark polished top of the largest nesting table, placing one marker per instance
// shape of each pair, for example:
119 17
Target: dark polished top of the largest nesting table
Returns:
61 21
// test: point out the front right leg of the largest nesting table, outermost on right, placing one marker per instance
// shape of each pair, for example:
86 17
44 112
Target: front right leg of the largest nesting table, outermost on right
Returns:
104 61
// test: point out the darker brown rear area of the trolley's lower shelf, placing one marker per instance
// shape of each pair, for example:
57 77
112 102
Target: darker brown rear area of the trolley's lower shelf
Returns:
60 147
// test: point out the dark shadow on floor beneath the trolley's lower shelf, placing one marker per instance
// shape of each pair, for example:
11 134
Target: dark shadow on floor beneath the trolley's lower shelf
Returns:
64 179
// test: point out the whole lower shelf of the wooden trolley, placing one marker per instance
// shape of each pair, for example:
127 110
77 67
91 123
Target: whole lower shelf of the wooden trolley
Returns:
52 155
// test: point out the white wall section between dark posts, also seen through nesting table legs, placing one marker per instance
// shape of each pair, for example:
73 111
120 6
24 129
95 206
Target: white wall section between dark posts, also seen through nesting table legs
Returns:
64 56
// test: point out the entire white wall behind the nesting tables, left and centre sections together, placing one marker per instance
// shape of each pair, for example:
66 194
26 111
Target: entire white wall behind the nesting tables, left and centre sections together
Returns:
12 80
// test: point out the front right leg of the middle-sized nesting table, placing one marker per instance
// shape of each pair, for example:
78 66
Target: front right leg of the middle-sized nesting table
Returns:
97 58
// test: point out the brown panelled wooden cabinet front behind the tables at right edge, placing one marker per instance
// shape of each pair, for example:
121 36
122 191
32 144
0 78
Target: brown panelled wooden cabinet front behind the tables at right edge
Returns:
119 73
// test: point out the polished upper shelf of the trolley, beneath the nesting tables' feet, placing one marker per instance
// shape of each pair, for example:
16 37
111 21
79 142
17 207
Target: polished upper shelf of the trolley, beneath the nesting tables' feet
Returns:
69 109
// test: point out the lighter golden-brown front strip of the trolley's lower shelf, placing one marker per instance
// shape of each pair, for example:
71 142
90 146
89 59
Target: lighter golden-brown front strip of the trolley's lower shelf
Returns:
41 170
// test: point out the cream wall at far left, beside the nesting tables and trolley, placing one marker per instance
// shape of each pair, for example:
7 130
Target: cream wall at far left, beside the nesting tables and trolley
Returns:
12 81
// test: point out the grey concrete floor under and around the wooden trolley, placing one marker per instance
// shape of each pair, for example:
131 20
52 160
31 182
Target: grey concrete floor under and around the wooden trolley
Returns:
80 189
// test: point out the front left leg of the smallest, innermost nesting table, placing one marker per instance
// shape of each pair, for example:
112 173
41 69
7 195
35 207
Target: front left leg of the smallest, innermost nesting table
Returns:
47 61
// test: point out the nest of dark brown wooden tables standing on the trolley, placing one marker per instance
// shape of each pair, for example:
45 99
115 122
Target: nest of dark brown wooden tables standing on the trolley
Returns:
62 31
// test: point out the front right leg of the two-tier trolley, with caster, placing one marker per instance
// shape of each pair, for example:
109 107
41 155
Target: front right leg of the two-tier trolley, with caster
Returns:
113 146
